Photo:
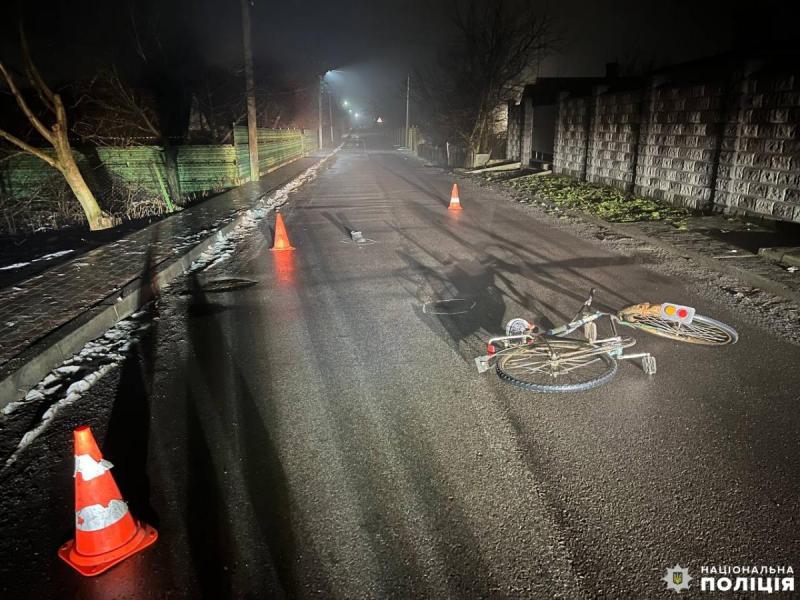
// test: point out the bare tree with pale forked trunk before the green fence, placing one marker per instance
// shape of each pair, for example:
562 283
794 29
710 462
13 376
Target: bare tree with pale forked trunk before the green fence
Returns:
57 135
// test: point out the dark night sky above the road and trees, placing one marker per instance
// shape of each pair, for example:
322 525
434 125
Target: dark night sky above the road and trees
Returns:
374 43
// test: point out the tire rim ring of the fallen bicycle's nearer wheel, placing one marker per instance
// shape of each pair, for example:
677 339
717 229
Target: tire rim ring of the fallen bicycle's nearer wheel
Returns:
609 366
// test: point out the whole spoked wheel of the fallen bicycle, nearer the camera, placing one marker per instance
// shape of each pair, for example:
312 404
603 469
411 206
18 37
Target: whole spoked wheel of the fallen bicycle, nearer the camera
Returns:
552 364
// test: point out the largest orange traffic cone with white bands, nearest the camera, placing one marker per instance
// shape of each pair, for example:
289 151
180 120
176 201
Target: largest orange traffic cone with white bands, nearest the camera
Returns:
105 531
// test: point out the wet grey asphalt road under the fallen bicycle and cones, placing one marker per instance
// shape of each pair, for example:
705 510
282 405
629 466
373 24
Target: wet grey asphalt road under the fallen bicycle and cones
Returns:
318 432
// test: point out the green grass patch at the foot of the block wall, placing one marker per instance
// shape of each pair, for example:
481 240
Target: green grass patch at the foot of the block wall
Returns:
605 202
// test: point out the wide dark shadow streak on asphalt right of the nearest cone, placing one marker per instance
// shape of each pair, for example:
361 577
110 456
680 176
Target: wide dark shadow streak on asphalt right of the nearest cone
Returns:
225 415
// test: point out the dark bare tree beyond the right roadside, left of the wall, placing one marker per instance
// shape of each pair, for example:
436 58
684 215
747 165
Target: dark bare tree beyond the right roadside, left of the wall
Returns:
496 45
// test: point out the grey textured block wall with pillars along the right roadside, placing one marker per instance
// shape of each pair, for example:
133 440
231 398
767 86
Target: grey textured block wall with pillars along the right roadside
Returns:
727 138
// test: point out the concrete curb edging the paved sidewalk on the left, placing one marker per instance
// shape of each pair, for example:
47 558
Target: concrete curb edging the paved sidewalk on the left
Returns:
62 343
